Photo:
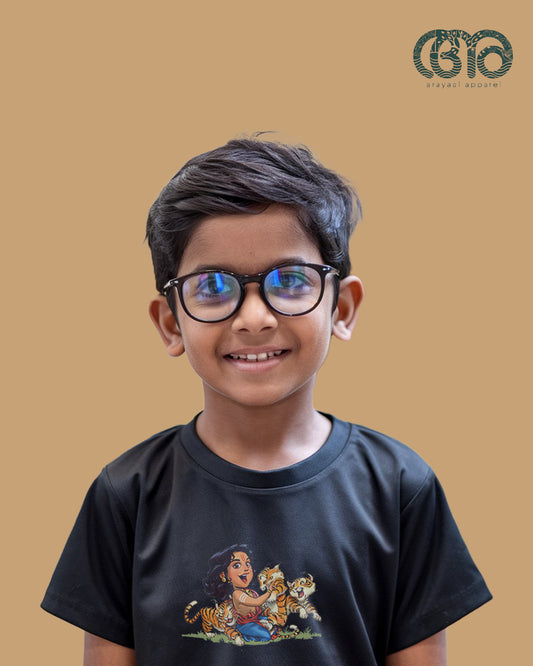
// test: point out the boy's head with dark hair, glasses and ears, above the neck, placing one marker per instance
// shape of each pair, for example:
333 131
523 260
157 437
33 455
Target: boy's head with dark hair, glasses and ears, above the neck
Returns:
240 238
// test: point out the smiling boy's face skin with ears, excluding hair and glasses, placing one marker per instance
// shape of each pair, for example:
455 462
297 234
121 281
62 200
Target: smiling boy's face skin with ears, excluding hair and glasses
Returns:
249 244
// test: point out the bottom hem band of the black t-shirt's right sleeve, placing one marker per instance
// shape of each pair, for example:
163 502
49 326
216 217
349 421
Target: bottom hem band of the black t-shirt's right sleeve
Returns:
428 625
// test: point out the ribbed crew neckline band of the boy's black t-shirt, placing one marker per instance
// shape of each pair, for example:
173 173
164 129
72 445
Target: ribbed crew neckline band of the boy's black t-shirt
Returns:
278 478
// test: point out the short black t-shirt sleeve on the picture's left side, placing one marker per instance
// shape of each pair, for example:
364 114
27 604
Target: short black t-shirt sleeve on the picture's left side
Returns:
91 585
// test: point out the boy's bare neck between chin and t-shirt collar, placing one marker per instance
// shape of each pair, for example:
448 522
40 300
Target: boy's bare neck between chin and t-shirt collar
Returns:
262 438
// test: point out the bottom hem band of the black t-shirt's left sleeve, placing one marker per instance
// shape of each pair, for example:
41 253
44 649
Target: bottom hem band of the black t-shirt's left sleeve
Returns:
84 618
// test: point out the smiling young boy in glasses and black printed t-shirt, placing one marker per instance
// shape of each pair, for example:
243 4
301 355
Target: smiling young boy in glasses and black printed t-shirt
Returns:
356 557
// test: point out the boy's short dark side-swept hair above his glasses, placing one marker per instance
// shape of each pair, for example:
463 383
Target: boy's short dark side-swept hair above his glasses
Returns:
246 175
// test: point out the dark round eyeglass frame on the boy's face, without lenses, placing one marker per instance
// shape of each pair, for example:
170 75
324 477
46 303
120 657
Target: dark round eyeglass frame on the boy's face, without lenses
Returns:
243 280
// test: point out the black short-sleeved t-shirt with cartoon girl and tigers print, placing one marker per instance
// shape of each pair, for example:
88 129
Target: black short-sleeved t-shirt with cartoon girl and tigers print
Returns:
362 527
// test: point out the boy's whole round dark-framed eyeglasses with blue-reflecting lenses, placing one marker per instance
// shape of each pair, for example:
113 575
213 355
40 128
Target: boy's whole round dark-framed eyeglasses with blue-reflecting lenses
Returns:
213 296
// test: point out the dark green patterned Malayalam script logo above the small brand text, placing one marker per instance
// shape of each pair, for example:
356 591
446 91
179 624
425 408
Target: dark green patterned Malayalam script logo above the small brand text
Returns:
473 61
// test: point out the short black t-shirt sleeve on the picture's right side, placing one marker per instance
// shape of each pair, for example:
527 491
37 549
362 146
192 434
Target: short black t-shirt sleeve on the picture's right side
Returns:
438 582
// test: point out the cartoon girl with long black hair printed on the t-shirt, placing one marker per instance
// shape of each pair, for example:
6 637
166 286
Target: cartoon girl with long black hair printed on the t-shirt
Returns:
230 575
